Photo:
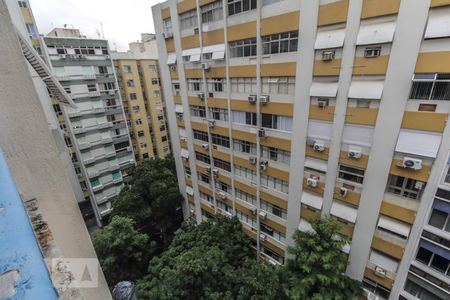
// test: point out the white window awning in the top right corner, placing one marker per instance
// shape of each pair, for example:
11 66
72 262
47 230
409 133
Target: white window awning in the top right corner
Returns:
438 23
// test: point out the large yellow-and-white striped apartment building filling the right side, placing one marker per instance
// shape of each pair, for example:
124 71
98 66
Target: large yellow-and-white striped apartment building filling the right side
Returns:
284 110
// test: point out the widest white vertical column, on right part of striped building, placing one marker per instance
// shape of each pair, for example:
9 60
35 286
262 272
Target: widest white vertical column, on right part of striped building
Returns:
406 44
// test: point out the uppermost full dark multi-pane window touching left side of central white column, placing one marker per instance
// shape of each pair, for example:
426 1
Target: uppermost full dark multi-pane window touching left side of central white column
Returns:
280 43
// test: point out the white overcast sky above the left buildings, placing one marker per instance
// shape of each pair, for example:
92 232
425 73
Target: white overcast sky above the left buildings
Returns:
123 20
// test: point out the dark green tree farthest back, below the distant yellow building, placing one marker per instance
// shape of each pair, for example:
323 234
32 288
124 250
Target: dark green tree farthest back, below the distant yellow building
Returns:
152 197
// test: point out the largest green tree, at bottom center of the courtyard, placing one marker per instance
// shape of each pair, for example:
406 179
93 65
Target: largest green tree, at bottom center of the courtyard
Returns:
213 260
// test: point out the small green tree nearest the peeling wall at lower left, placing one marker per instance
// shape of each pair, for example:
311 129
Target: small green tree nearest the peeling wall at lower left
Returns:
122 251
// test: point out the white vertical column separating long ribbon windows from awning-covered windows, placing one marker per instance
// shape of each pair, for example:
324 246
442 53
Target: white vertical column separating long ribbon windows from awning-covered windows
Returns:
309 10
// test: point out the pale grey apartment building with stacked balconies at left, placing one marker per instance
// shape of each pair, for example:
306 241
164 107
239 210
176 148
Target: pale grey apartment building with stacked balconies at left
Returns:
96 131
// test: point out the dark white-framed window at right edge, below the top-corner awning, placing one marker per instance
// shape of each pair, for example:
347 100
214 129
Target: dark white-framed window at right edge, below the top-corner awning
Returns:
431 87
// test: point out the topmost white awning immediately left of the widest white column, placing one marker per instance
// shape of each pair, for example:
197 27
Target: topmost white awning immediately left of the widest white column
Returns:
376 33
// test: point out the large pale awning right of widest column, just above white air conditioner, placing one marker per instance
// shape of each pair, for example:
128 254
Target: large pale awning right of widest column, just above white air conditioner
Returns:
418 143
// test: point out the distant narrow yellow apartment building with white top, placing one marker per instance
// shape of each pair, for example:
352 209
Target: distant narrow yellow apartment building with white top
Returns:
139 83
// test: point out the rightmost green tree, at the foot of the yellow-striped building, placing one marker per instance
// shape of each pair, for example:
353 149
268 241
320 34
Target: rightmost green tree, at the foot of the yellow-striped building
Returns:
316 271
